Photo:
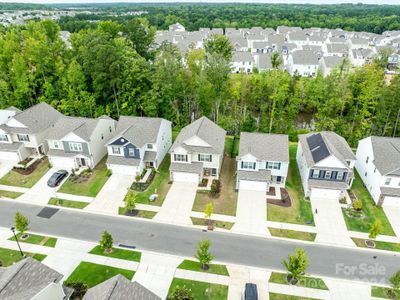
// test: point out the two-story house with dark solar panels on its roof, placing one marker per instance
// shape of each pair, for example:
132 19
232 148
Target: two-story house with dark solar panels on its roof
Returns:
326 163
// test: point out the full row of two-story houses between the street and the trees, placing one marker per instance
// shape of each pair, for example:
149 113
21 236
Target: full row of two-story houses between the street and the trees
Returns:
133 144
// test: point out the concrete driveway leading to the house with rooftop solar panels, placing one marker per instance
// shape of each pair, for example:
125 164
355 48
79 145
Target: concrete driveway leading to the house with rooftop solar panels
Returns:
331 228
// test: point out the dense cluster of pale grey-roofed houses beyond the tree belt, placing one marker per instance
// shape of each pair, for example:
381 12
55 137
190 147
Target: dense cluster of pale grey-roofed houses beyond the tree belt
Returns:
302 51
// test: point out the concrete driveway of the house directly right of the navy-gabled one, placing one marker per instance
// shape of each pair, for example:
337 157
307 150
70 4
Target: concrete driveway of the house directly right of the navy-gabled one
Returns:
178 204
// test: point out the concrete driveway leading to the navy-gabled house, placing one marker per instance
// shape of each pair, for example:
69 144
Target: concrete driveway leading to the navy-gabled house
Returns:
112 195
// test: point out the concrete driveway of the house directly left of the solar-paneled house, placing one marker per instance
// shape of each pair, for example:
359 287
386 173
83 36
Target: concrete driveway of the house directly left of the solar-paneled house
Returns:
251 213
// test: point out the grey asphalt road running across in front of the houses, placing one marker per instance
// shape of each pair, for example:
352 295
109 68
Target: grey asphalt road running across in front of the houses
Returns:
355 264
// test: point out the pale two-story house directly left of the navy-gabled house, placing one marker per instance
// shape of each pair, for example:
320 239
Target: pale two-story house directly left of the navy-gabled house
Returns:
76 143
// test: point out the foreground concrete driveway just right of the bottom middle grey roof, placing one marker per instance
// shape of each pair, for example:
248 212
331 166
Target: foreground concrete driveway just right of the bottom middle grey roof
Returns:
156 272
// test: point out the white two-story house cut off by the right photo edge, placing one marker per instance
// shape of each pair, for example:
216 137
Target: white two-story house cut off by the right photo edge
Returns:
378 163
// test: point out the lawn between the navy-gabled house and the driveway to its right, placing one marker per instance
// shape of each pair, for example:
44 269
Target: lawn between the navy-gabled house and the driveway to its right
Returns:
159 185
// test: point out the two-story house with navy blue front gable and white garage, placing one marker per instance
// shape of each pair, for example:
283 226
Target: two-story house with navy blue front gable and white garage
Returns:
139 143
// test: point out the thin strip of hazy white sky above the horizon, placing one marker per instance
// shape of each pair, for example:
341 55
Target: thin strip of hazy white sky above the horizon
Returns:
215 1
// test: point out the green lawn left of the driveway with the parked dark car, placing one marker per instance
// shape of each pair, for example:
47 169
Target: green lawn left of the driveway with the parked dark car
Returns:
27 181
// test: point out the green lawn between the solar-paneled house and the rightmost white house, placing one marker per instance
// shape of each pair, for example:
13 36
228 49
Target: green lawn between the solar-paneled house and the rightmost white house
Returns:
370 210
